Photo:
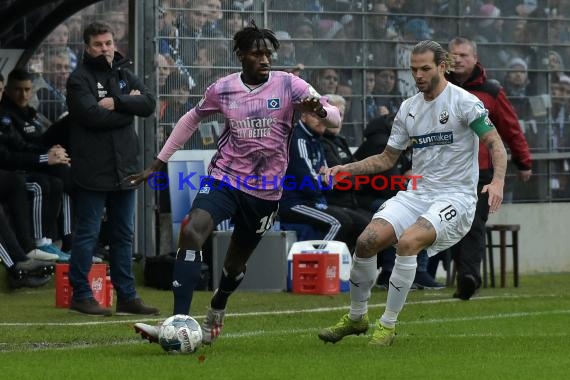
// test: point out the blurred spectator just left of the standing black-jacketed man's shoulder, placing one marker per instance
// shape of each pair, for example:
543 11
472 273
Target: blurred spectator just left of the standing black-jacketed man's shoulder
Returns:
52 96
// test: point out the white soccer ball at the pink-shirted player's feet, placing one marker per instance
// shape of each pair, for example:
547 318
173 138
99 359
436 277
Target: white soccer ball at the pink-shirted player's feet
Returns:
180 334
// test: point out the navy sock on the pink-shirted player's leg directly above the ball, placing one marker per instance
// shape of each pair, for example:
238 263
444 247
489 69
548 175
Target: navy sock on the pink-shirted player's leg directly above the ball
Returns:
185 278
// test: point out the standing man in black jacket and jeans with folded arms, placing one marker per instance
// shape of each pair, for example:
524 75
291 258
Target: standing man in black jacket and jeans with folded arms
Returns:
103 97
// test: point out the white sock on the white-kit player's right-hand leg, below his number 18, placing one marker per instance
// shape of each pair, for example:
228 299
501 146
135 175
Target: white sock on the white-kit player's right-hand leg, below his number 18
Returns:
400 282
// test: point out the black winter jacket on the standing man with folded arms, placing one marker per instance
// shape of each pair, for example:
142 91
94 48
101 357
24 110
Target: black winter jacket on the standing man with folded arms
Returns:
104 145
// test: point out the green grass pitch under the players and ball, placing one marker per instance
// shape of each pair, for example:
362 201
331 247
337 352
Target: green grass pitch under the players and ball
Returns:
508 333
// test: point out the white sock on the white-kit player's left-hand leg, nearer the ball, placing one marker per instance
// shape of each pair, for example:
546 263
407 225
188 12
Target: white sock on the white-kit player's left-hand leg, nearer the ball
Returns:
363 273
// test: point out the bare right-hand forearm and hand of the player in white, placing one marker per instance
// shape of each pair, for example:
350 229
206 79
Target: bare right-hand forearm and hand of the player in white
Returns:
493 142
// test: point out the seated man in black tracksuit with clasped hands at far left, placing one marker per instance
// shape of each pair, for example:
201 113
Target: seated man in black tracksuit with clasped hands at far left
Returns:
45 166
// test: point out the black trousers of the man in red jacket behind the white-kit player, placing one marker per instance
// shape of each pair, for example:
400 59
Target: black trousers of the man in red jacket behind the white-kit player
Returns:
468 253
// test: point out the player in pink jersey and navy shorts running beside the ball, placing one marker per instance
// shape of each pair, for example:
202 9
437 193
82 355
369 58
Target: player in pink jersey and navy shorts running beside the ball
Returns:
258 105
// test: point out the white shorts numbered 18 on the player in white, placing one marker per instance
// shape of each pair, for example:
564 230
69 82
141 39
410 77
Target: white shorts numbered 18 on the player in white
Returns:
450 214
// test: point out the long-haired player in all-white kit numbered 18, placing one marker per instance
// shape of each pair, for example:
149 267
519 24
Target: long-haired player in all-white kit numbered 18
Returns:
443 123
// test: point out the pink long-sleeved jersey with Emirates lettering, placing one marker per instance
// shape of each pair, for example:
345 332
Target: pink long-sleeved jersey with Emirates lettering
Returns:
253 148
